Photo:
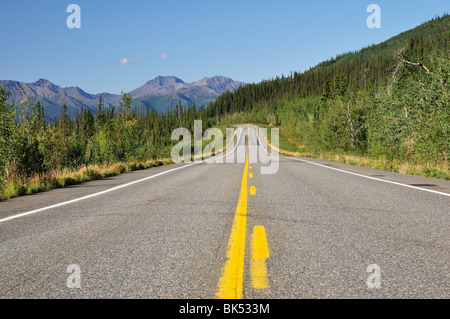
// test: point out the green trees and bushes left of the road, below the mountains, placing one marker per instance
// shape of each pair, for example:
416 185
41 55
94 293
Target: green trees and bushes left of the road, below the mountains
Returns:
31 146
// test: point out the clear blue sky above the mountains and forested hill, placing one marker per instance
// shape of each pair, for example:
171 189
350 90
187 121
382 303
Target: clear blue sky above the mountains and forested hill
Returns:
246 40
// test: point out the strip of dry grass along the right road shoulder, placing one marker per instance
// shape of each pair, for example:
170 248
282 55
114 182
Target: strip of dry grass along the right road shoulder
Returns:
290 146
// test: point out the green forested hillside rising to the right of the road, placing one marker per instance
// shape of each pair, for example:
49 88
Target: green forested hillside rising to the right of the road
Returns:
389 100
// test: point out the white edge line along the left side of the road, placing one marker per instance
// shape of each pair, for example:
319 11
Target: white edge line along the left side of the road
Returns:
103 192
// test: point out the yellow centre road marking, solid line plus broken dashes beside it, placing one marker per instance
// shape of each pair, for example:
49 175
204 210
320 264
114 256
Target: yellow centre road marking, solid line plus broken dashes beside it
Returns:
231 282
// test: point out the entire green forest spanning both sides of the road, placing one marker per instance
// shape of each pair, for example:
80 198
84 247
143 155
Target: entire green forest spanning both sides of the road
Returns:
388 101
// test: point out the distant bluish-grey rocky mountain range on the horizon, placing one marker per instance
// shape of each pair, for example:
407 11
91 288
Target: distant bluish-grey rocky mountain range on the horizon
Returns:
158 94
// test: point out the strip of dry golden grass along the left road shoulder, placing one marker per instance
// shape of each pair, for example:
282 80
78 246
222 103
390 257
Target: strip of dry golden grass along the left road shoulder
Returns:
16 186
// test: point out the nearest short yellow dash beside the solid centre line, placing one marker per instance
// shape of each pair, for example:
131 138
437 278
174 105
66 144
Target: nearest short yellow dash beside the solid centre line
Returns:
260 252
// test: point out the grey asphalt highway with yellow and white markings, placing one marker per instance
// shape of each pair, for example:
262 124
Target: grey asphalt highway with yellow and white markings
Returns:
172 235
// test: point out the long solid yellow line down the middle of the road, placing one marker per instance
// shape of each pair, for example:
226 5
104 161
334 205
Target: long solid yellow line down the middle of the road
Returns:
230 283
